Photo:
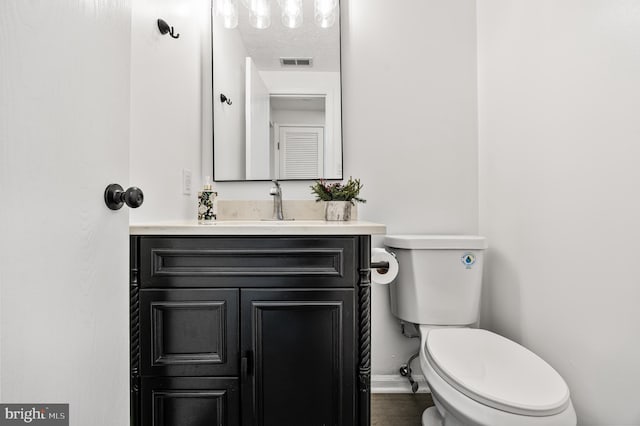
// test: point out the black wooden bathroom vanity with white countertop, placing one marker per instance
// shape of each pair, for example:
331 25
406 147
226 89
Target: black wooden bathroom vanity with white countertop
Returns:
251 323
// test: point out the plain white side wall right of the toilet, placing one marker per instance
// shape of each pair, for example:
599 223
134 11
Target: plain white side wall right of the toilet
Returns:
559 96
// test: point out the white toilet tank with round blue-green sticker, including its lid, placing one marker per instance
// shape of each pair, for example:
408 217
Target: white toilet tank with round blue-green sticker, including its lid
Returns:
439 280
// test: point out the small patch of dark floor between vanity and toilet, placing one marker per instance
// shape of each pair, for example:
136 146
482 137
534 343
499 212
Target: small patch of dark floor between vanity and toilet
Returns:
398 409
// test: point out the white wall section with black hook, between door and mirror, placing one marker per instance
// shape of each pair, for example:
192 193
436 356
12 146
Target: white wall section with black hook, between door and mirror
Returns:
166 107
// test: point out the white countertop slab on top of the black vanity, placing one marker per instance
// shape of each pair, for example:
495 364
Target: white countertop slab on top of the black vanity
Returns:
259 227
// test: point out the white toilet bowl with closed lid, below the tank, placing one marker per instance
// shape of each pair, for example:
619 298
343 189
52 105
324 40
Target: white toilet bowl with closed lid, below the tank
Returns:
478 378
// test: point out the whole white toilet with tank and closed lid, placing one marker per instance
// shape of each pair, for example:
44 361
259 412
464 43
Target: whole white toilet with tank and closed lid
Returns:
476 377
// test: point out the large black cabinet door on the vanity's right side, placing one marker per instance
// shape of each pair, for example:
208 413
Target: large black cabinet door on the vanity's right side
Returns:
300 352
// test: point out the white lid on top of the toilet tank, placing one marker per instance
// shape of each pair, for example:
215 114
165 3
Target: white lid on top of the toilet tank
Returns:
436 242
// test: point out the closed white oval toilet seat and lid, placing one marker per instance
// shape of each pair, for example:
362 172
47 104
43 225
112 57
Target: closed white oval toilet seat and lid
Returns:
496 372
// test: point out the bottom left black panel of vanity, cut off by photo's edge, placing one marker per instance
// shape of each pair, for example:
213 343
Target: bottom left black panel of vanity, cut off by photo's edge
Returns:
190 401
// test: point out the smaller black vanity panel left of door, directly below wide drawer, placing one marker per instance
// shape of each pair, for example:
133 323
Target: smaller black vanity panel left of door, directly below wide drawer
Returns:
190 332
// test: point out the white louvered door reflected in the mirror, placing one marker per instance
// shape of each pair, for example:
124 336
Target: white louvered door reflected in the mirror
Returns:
301 152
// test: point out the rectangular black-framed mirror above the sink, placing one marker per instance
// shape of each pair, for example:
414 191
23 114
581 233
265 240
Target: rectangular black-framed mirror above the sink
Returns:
277 107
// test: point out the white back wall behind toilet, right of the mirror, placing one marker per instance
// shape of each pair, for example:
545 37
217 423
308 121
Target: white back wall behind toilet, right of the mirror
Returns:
409 99
